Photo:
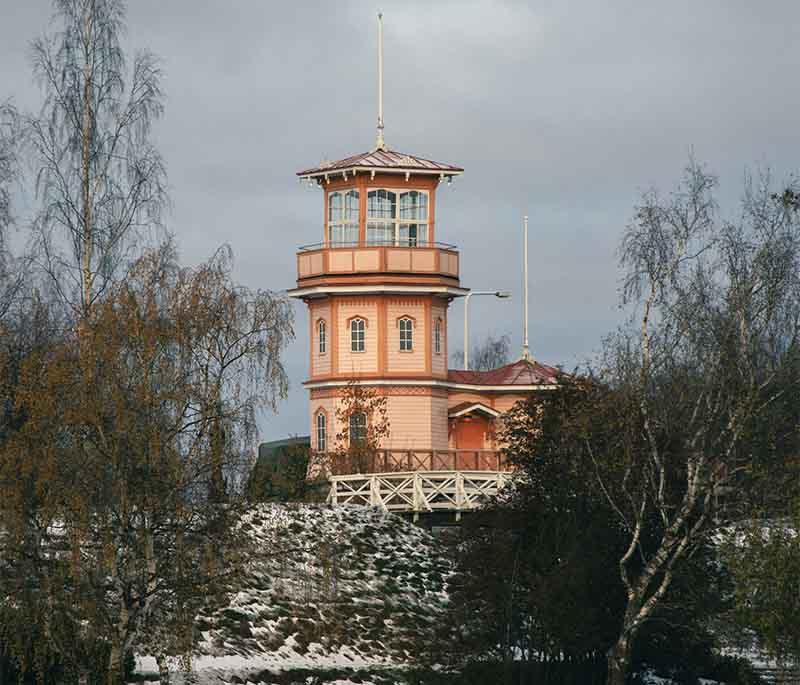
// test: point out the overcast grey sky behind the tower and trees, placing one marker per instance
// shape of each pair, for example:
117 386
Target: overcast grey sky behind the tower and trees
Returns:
563 110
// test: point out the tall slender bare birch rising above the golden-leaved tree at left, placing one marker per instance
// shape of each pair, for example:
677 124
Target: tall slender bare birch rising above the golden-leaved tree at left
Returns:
100 180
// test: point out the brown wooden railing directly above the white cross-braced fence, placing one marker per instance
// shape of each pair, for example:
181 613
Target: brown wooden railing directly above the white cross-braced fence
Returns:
392 460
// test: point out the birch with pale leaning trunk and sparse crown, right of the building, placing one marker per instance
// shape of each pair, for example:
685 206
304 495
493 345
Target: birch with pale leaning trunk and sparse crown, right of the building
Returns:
713 340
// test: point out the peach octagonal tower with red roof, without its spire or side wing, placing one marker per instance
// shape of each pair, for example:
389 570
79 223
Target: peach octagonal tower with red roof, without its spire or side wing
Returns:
378 288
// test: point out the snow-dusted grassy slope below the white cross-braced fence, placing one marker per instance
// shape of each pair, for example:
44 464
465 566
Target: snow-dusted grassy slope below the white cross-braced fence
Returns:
343 591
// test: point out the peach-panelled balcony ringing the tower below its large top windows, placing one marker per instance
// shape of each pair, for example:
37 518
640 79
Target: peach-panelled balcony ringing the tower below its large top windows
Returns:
324 261
